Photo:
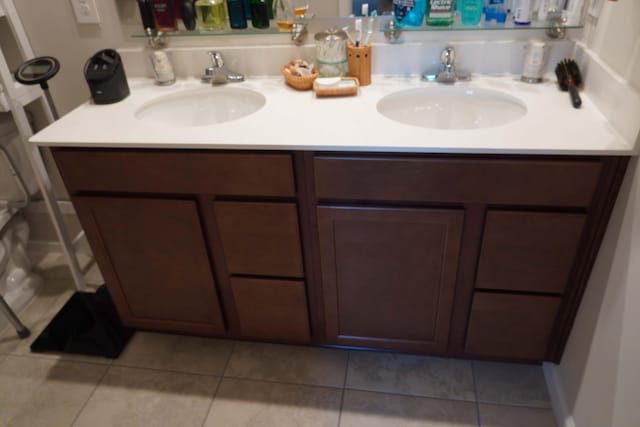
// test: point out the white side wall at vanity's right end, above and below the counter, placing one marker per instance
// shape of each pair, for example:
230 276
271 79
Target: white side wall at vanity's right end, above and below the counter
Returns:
597 381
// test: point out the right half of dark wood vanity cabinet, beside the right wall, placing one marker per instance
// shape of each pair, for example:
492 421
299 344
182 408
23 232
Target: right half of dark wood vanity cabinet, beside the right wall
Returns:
522 234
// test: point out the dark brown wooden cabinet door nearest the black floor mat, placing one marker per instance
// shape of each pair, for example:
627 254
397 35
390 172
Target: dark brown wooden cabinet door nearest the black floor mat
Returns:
153 256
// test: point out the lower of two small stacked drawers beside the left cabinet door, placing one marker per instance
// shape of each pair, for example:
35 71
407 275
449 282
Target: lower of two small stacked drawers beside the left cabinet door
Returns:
272 309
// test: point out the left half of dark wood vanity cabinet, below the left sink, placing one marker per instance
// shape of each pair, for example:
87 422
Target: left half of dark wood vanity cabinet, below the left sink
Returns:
197 242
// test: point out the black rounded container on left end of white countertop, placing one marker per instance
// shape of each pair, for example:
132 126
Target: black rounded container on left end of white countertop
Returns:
106 78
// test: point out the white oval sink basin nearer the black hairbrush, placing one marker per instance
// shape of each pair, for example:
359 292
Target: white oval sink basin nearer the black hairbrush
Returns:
451 107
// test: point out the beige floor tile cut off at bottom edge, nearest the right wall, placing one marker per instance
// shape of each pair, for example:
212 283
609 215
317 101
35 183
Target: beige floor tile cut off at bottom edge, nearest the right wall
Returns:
515 416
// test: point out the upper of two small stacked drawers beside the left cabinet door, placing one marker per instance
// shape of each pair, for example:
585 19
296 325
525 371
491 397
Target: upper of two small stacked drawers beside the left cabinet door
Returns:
260 238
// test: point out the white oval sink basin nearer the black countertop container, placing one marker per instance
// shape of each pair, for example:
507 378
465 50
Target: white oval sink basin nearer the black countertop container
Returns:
201 107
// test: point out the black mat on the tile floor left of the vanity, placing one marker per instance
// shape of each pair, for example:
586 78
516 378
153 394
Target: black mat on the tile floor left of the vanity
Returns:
87 324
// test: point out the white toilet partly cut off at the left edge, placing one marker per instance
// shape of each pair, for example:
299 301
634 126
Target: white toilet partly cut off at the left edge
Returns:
17 282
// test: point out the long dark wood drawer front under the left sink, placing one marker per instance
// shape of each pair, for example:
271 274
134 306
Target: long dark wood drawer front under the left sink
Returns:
201 172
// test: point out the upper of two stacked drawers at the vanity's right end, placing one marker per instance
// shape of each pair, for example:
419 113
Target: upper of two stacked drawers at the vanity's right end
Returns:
529 251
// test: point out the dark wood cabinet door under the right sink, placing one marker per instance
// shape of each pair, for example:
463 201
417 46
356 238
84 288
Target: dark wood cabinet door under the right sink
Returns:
388 275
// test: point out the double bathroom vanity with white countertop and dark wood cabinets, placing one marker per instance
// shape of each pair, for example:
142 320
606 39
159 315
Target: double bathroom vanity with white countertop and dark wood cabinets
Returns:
451 242
